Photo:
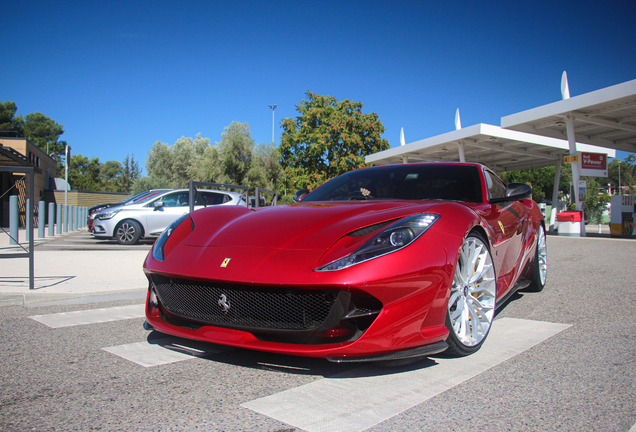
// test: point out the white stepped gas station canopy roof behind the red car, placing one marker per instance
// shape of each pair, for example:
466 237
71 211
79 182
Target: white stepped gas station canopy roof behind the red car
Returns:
603 121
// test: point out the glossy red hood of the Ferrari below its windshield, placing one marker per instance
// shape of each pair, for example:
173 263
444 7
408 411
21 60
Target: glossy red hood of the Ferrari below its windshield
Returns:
302 226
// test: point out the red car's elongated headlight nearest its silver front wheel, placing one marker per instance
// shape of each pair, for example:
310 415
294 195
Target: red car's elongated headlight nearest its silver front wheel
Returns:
392 238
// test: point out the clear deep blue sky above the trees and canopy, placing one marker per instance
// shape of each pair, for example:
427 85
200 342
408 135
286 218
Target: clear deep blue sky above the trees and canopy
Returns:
121 75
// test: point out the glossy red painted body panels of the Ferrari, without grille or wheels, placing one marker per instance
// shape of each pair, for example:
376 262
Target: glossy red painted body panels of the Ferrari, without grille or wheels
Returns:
283 245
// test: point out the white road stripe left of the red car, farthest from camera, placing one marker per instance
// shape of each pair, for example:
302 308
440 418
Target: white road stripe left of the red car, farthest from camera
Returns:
91 316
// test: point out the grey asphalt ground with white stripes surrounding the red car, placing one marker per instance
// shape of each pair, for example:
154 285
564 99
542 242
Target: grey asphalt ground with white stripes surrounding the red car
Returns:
563 359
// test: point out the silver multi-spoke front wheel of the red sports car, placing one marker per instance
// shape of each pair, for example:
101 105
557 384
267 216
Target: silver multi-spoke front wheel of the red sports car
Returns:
471 303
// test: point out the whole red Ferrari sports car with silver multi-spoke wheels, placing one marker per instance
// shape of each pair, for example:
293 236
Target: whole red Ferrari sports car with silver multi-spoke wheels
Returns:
383 263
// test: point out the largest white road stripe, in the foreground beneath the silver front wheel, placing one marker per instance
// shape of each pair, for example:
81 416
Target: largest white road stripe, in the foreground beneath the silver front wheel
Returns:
363 397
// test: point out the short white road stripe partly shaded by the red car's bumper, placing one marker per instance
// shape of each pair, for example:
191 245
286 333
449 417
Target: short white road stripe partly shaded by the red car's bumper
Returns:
163 351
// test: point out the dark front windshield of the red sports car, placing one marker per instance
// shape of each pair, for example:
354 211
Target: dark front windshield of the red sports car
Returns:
404 182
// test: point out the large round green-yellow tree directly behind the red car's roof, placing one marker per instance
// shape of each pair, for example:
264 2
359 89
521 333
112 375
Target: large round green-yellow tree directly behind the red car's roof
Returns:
328 138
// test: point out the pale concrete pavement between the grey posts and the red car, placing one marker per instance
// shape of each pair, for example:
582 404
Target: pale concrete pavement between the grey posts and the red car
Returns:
69 274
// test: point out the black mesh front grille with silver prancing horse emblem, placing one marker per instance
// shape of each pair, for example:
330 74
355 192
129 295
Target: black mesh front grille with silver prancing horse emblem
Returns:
248 307
